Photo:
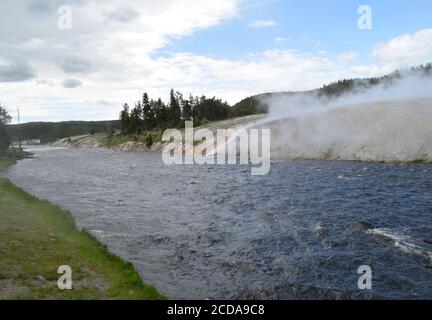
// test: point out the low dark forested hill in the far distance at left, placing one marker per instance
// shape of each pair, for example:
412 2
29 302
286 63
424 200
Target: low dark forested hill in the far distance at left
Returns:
52 131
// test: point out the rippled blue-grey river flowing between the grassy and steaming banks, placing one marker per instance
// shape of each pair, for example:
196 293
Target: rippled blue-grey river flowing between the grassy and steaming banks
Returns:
300 232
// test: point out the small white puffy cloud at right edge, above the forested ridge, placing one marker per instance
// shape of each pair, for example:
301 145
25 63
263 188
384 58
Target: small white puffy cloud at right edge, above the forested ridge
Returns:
406 50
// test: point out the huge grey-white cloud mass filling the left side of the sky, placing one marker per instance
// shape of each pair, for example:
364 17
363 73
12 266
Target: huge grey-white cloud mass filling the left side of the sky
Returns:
110 49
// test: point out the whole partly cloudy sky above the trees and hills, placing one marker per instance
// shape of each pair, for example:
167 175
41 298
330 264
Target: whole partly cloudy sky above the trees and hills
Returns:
83 59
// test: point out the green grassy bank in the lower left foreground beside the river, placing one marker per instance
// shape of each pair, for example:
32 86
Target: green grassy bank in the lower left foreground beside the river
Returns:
37 237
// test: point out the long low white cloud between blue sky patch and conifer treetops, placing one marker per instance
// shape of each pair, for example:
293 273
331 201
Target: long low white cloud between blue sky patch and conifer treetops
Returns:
268 71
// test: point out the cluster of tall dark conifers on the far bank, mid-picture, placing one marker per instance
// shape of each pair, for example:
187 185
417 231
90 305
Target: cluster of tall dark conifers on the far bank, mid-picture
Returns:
149 114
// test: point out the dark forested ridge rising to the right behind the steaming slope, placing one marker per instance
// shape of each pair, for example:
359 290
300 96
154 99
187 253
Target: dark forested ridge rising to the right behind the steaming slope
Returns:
255 105
